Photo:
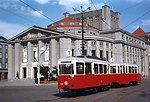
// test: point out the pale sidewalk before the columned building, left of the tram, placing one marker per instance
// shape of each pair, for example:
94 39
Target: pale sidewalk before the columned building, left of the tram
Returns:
5 83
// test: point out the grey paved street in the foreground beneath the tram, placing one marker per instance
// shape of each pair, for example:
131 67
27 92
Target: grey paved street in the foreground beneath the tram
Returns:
49 93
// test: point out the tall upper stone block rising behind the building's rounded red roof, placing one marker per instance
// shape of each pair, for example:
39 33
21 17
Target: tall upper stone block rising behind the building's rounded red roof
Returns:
102 19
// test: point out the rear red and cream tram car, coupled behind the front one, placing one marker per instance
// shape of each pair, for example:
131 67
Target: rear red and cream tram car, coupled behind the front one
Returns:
125 74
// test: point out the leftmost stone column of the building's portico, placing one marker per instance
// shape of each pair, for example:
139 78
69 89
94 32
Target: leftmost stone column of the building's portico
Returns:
11 70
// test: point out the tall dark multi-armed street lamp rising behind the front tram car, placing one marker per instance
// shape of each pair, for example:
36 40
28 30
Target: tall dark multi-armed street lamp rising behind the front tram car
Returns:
82 12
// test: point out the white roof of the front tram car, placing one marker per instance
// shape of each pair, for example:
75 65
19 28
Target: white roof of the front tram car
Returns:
82 59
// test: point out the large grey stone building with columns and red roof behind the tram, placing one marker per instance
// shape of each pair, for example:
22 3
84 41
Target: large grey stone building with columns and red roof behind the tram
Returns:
111 44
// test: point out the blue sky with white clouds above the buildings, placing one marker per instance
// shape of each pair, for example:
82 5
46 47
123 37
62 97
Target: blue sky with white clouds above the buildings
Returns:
19 15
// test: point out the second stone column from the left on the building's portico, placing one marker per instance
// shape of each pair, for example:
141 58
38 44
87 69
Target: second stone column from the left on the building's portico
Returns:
17 59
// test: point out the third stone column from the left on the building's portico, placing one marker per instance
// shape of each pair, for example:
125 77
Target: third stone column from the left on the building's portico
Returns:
29 45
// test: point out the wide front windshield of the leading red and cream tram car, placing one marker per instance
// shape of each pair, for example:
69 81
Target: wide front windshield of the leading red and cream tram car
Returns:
66 69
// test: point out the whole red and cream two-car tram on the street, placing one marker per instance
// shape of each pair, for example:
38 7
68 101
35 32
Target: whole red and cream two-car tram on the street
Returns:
76 73
